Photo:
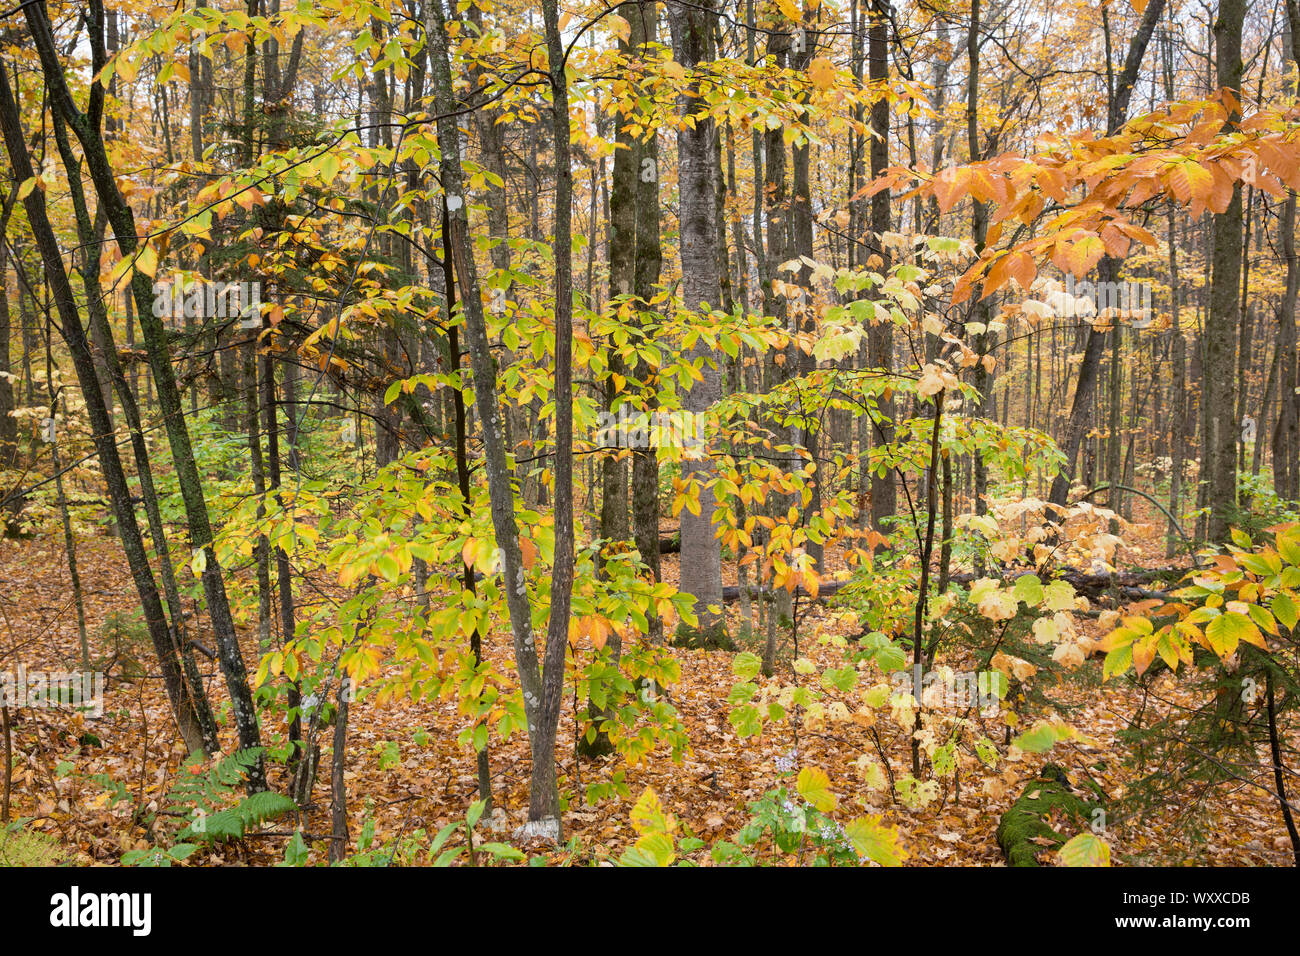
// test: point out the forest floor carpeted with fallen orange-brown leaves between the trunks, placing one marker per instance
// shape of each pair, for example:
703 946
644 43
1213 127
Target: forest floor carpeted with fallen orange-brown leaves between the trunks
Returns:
432 785
